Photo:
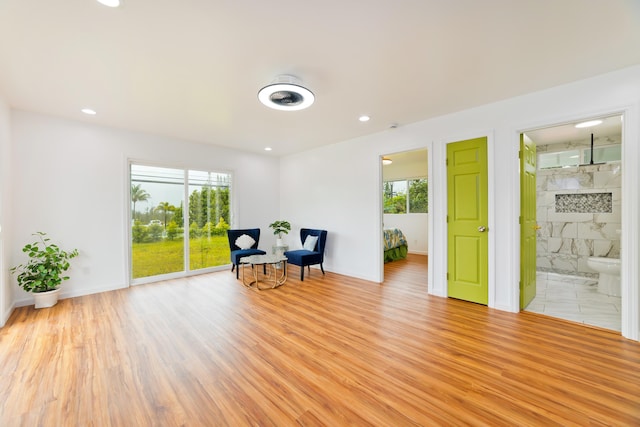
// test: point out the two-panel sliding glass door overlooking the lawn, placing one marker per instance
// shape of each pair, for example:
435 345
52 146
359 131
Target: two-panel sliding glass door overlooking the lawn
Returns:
179 220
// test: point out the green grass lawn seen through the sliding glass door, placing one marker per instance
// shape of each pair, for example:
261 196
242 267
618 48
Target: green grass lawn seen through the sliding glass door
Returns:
152 259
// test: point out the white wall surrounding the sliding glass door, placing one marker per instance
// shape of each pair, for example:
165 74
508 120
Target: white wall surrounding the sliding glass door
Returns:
70 180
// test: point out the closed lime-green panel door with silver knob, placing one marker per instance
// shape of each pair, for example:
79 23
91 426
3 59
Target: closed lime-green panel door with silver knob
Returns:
467 220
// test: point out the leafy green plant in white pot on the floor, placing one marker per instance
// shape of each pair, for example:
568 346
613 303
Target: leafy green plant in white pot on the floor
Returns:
42 274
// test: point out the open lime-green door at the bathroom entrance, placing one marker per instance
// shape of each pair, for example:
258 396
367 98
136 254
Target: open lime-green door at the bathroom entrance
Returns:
528 225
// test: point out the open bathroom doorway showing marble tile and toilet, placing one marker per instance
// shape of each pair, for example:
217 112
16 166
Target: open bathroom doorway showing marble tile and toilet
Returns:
578 221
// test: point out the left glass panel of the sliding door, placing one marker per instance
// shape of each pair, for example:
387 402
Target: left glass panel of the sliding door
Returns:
157 245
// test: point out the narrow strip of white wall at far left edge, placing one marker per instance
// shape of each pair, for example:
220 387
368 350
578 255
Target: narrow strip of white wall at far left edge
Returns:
6 291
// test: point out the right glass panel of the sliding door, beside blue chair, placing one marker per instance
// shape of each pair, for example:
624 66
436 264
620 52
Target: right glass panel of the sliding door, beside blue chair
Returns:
209 219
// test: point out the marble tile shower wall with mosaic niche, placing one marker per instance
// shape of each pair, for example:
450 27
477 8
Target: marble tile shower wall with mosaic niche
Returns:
578 209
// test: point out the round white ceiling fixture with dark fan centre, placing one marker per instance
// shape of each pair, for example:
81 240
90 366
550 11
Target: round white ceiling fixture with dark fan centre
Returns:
287 94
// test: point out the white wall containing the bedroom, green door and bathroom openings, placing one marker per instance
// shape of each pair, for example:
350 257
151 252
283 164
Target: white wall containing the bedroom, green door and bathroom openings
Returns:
328 188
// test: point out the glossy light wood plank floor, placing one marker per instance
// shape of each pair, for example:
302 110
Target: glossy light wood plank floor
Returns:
332 350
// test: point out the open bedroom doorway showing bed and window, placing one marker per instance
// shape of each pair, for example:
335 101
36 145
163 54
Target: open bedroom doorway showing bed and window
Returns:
405 208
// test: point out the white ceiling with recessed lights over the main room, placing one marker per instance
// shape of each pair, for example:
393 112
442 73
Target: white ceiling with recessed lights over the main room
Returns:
191 69
